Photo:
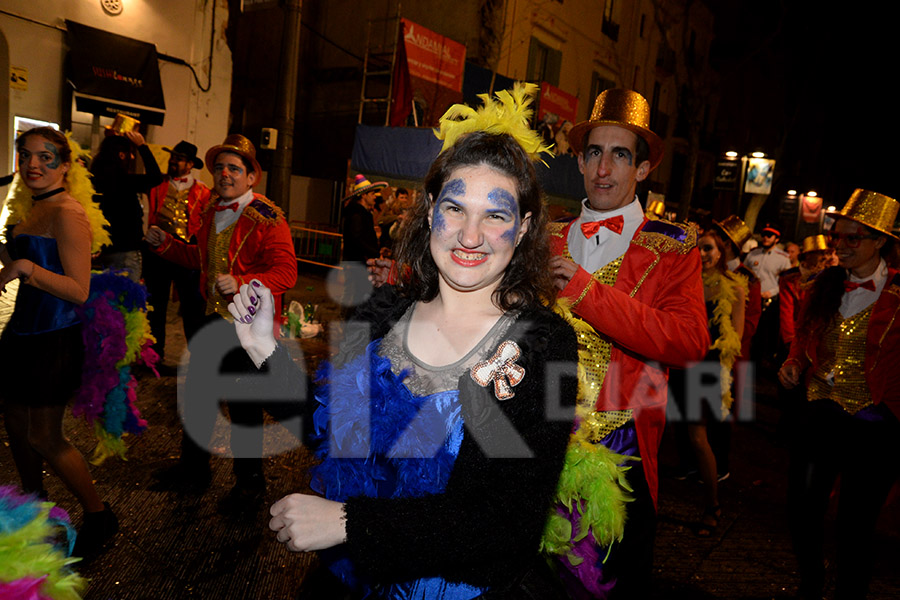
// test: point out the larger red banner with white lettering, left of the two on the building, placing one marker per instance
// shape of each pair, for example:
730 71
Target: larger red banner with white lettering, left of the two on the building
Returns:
433 57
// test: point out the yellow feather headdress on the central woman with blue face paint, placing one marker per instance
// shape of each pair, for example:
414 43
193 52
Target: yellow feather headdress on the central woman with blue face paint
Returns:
509 114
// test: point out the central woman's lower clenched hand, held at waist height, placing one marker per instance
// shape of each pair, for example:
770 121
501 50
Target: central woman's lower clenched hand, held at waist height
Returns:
305 523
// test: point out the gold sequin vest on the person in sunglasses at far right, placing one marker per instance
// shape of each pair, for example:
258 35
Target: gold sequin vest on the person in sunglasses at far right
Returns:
841 374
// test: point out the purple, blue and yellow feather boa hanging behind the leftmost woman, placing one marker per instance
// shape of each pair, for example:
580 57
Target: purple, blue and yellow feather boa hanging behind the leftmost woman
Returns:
116 333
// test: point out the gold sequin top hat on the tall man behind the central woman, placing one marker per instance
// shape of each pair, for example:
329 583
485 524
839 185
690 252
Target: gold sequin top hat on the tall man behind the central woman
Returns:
622 108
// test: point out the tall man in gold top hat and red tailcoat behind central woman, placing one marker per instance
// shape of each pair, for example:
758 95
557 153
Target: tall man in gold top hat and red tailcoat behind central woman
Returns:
636 283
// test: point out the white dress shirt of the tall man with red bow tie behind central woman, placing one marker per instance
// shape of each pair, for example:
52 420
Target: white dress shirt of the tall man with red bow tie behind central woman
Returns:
606 245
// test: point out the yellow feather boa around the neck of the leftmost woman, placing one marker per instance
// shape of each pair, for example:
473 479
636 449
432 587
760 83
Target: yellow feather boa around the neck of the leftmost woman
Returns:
79 186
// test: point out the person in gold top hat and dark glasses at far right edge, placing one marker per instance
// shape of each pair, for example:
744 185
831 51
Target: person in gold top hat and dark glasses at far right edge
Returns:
846 351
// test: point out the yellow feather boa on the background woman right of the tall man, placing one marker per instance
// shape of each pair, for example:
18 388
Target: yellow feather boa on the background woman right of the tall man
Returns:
729 342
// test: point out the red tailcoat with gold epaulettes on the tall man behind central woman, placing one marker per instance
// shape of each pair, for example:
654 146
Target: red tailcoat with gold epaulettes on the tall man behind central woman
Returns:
653 316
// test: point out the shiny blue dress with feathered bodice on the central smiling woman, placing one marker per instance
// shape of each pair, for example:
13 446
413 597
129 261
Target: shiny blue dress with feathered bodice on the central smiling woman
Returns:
379 439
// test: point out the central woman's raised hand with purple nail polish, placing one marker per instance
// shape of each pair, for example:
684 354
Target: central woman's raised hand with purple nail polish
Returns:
253 310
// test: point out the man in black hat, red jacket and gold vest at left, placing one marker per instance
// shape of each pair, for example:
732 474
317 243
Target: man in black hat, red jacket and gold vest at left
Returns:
175 207
